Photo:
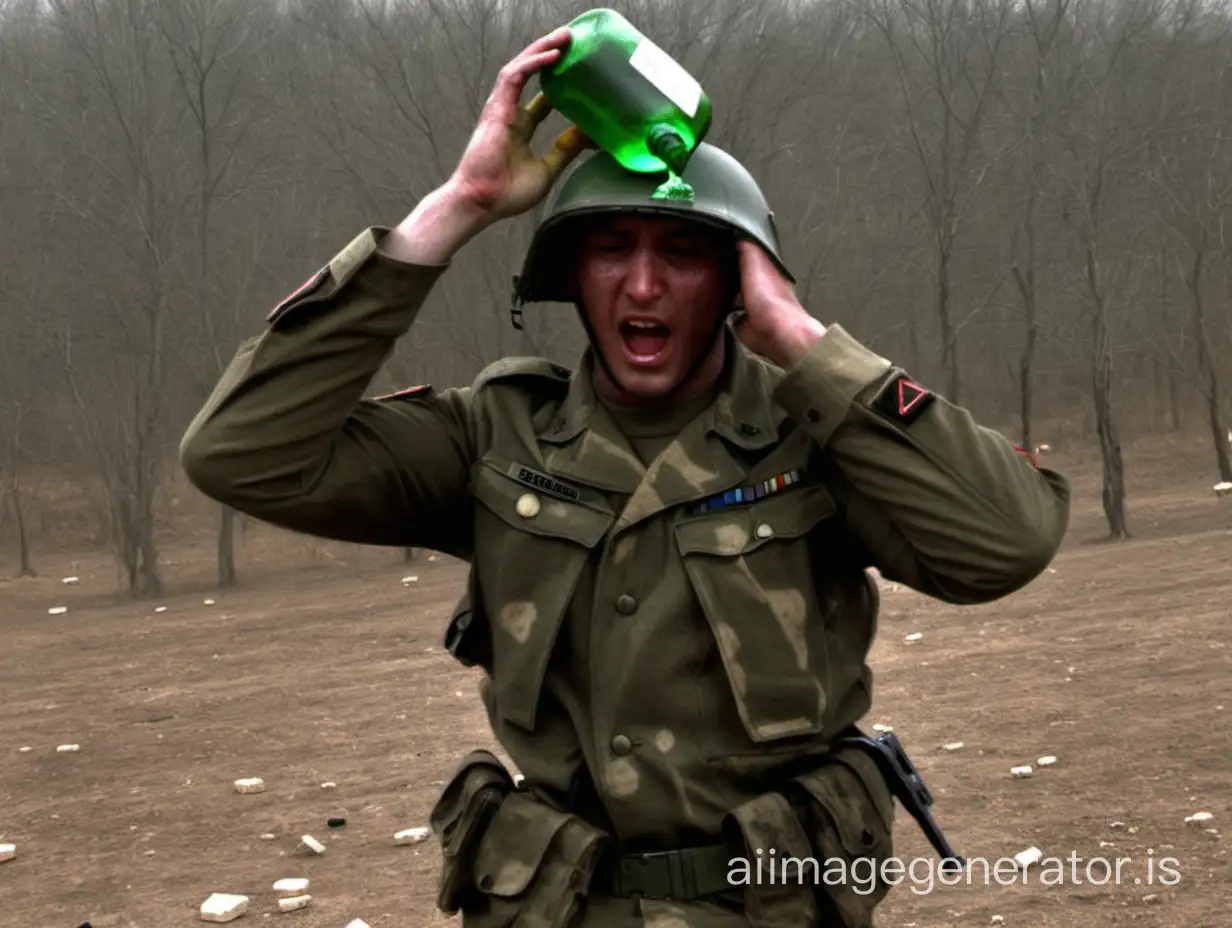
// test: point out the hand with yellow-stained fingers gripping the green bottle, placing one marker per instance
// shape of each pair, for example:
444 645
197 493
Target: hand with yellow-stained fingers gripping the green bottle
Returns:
500 176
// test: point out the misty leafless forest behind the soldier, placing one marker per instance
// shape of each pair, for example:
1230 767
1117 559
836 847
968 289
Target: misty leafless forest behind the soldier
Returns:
1026 204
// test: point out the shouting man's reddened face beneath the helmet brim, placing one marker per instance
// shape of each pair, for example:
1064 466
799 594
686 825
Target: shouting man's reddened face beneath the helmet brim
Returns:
651 289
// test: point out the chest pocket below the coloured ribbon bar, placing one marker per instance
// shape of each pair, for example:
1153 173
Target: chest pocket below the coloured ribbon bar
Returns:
753 575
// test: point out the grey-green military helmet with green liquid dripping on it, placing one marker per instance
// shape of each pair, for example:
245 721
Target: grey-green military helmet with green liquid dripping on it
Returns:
725 195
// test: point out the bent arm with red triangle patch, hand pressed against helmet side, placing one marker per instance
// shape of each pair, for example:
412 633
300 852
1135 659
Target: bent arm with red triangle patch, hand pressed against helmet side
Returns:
941 502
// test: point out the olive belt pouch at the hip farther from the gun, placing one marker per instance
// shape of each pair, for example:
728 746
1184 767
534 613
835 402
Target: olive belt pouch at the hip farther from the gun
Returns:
509 860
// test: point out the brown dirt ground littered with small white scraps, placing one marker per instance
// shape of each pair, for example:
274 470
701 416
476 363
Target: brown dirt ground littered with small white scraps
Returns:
326 667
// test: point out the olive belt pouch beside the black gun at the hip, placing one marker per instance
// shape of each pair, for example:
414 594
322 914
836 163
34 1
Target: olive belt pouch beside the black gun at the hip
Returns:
831 831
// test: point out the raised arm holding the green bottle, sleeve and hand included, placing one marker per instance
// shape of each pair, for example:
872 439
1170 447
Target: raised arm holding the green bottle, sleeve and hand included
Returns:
288 434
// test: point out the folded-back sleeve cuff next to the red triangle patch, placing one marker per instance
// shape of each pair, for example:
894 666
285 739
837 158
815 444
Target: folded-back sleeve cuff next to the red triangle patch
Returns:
820 389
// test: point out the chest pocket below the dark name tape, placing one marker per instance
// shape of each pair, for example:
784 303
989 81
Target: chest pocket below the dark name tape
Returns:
530 550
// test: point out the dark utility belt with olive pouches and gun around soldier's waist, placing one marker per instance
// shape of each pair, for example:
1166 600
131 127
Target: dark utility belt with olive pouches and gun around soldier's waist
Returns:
809 852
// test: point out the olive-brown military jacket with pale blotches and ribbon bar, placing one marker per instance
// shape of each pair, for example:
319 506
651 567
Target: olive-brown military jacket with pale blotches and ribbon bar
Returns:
684 630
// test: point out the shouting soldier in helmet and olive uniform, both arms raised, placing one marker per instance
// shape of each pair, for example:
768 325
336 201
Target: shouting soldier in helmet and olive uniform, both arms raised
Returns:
668 547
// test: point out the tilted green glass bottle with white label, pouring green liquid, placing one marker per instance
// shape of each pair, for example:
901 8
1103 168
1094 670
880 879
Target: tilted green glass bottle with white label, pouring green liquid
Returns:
630 97
